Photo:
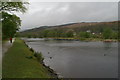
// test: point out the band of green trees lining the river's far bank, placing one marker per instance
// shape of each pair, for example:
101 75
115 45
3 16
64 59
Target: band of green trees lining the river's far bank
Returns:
107 33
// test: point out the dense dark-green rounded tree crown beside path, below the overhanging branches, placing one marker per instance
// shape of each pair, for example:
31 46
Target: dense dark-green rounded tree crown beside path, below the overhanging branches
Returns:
10 24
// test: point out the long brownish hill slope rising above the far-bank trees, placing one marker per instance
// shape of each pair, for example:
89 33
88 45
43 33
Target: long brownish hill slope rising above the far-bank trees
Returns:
95 27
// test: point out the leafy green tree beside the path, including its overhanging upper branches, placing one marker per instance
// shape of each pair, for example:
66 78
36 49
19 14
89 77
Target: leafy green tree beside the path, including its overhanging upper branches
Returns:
10 22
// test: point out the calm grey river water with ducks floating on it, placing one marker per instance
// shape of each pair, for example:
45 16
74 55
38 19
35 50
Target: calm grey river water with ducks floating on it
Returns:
76 59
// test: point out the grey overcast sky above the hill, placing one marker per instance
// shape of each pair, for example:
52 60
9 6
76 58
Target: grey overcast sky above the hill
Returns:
55 13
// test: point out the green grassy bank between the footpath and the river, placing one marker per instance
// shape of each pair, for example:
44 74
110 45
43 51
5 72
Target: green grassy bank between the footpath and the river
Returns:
17 65
